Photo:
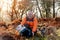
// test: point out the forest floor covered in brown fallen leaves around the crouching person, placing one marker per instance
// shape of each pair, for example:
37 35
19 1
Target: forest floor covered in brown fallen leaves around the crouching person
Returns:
52 31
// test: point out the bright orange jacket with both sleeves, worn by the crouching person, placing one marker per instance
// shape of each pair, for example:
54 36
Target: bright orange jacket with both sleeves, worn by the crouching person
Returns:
33 24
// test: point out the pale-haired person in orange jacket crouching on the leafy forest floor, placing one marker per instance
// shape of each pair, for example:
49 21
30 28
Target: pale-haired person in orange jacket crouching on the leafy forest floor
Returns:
28 25
